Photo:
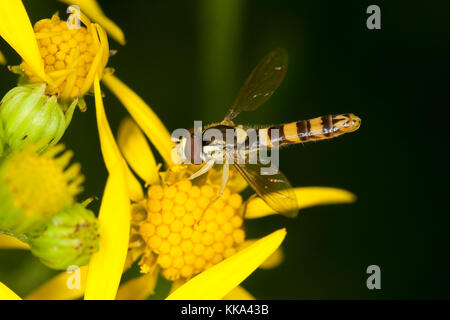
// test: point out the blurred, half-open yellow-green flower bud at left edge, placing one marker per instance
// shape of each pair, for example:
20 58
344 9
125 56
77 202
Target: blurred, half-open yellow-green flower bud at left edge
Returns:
34 187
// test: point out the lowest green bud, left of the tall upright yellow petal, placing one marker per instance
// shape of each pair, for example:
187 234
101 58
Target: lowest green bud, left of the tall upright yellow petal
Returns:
68 238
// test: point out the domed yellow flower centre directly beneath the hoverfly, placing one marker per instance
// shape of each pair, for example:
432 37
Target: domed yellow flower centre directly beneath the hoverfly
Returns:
187 231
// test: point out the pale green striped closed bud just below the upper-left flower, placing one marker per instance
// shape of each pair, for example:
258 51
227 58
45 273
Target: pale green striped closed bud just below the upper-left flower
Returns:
28 115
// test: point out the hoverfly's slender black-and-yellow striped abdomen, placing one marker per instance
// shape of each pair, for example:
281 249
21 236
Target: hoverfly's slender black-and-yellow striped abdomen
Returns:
319 128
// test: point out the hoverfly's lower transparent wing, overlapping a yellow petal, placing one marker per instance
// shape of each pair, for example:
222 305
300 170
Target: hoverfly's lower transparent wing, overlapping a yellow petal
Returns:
275 189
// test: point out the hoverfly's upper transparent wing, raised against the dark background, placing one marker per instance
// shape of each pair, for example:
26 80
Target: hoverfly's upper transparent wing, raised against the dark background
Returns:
261 84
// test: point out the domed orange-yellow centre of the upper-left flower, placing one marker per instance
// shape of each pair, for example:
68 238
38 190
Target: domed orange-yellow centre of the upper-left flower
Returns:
71 57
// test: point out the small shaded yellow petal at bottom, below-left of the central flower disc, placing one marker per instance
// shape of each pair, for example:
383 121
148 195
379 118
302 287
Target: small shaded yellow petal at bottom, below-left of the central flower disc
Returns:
138 288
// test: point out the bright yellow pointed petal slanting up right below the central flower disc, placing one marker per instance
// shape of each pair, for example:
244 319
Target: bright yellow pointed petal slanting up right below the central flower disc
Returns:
219 280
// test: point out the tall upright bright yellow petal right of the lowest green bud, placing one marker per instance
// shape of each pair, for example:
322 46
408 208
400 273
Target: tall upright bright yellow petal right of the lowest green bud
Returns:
106 266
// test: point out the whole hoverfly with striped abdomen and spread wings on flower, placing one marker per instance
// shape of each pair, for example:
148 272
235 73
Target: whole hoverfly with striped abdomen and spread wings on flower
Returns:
275 188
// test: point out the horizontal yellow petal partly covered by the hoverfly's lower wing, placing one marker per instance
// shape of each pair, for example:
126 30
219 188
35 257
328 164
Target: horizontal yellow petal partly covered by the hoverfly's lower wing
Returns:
306 197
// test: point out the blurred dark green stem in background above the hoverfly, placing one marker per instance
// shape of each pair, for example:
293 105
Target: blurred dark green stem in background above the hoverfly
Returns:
220 31
